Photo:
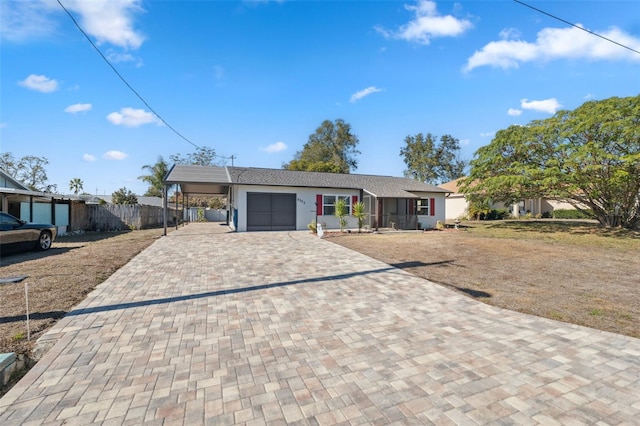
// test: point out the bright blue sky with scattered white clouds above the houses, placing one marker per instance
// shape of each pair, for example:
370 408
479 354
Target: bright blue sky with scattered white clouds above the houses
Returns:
254 79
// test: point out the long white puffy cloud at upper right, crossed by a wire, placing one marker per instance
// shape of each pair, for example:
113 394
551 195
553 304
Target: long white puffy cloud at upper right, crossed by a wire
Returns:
553 44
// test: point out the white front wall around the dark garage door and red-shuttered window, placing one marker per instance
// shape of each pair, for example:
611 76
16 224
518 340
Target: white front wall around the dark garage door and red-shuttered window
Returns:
305 205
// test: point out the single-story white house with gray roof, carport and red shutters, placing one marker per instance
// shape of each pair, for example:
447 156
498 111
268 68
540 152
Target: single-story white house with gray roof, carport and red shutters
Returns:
278 199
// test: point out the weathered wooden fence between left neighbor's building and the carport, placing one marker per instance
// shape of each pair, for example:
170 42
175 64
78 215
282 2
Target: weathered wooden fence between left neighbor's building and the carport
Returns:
115 217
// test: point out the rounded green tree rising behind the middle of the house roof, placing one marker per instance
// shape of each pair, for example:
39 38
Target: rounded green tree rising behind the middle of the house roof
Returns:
332 149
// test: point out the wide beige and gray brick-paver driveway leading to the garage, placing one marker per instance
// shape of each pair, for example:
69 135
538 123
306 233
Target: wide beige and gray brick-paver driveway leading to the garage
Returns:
206 327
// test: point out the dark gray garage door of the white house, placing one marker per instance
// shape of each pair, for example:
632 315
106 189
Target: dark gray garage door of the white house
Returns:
271 211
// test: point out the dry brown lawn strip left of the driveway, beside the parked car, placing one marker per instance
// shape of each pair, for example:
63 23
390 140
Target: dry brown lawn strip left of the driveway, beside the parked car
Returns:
59 279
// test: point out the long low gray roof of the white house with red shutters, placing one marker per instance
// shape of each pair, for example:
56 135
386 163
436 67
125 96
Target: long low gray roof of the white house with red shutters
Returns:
380 186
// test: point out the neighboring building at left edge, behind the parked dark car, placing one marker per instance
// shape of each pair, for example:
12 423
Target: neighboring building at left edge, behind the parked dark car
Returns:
33 206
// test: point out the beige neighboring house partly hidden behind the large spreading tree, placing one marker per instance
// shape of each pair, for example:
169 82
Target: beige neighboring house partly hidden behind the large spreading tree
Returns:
457 207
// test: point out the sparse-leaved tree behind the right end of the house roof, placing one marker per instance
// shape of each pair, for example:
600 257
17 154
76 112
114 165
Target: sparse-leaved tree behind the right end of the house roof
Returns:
430 162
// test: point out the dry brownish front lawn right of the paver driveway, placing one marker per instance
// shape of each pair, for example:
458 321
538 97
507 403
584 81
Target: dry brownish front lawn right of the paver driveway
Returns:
575 273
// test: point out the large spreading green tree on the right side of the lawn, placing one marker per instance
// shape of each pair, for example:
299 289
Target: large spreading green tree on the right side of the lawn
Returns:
589 157
